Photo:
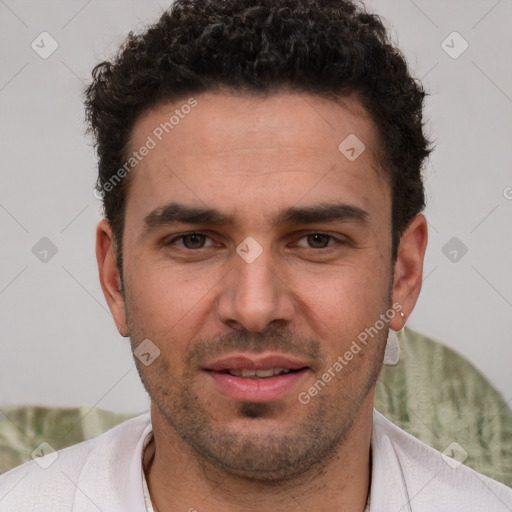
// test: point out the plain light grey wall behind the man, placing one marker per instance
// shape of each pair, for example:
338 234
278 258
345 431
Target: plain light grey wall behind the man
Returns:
58 343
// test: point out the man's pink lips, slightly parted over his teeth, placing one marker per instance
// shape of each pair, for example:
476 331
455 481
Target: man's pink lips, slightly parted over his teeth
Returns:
256 390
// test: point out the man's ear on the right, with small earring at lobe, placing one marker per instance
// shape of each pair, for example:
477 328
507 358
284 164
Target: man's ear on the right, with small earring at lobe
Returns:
408 271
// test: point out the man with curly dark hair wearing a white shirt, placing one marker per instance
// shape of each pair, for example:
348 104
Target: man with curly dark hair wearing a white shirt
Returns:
260 167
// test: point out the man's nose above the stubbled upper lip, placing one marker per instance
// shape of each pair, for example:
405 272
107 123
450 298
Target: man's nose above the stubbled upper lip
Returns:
255 295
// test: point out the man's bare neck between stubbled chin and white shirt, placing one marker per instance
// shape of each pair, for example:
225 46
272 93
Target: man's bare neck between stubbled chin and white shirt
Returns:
179 480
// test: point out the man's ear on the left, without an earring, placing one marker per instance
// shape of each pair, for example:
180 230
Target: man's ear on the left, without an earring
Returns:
109 275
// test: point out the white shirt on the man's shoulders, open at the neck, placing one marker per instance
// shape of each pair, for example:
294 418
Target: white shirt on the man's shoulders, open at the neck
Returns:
106 474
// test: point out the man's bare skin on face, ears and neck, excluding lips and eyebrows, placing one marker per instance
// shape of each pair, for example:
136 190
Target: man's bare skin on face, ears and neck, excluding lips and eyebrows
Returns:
251 157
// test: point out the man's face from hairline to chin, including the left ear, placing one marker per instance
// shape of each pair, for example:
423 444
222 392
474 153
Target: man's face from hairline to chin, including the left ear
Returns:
255 253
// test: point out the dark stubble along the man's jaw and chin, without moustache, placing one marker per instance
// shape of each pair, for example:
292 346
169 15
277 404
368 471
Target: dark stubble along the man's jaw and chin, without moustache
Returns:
279 454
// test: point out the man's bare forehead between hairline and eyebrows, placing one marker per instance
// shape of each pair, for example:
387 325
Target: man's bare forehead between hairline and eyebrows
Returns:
238 152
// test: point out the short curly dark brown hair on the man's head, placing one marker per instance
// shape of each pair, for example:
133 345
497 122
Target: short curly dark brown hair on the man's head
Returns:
331 48
